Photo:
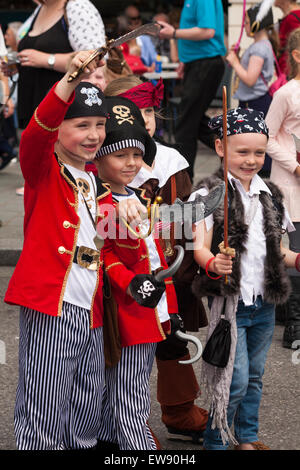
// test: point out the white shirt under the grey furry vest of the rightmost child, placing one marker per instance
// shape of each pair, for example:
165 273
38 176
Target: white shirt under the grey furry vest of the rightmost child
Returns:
253 259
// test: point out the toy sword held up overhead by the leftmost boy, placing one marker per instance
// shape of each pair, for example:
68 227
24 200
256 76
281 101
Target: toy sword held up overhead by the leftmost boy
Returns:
149 28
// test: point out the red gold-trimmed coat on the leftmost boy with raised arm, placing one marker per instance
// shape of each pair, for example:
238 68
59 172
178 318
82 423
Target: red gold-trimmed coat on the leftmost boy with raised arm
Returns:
51 222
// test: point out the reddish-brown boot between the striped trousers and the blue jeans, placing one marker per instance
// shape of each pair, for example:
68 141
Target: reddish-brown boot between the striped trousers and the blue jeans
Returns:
177 388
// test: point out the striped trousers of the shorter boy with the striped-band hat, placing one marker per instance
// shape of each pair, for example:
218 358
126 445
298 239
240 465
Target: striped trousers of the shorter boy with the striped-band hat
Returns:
126 400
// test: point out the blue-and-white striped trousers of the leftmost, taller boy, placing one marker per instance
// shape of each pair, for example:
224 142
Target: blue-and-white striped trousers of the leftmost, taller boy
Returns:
61 378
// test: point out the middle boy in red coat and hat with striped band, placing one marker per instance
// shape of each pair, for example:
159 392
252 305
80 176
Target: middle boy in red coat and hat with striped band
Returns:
143 320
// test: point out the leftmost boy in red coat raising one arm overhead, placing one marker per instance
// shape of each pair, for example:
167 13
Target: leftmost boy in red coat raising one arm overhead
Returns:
58 278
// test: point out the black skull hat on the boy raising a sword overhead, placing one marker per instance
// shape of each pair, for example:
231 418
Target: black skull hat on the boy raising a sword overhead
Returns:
89 101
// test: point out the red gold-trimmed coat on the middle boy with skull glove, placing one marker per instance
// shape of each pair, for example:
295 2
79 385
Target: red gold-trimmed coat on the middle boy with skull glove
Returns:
123 259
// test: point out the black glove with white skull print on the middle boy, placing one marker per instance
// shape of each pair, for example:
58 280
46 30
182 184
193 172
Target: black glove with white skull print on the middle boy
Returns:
146 290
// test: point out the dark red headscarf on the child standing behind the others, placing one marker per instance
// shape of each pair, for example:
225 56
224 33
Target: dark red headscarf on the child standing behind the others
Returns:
146 95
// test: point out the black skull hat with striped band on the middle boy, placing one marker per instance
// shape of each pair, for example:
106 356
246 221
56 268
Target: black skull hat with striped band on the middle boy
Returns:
125 127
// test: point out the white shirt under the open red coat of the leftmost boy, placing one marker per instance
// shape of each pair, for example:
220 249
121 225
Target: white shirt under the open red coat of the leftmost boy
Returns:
81 282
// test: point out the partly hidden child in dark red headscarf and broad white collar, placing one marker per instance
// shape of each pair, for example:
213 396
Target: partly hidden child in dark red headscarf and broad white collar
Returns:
167 176
